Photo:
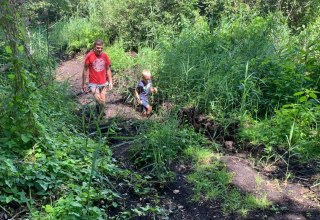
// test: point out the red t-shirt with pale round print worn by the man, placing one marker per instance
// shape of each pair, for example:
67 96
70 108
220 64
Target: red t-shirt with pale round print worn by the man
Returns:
97 67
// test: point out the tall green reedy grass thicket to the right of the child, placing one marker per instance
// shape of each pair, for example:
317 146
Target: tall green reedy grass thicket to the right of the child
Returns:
209 68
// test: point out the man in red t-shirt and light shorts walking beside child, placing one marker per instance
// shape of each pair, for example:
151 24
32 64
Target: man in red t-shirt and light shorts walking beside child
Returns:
99 75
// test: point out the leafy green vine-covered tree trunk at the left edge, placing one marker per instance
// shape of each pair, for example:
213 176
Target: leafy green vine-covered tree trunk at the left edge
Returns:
18 122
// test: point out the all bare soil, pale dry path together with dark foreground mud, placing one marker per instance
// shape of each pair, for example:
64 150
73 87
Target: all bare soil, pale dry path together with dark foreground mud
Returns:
295 199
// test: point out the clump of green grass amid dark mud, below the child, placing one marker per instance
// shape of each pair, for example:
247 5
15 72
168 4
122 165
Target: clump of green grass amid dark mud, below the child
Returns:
160 144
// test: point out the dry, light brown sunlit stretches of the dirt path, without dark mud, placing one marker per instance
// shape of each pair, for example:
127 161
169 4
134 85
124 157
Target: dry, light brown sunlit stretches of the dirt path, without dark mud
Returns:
245 177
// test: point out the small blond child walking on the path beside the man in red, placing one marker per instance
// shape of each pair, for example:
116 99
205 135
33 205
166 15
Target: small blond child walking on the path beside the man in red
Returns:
142 91
